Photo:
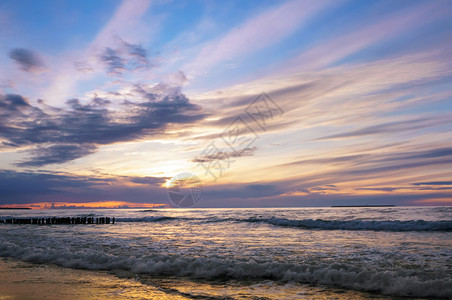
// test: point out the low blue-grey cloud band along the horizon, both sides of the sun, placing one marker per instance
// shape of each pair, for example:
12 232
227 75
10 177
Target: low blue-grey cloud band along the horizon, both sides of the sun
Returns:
30 187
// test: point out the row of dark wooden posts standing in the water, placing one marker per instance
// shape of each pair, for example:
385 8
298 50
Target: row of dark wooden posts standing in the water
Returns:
64 220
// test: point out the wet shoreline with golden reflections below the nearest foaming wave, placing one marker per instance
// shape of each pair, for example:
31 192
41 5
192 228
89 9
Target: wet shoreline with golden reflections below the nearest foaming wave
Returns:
24 280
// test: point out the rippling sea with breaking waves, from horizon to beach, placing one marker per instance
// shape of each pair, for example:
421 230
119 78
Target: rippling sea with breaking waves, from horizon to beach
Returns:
256 253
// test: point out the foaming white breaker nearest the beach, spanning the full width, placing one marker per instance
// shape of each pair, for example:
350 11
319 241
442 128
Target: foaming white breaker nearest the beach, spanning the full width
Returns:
341 274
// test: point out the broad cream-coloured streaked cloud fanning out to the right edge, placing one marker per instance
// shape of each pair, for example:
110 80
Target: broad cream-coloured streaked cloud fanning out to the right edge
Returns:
343 98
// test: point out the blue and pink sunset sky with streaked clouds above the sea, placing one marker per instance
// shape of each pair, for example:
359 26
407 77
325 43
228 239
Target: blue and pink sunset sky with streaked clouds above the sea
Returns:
266 103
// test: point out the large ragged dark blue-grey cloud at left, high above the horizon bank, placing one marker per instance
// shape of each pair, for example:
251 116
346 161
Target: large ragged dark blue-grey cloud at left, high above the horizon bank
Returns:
61 135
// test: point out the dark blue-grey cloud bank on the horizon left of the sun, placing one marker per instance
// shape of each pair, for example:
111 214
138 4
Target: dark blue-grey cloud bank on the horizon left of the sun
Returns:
29 187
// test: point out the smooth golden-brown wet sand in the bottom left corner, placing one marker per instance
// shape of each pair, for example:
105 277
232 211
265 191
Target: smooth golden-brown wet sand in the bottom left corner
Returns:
19 280
